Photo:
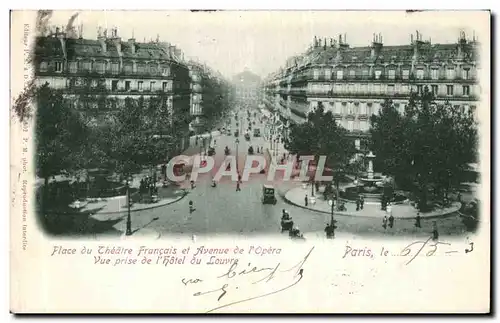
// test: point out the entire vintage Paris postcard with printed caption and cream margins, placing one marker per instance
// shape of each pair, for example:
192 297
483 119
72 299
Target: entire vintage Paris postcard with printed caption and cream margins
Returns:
250 162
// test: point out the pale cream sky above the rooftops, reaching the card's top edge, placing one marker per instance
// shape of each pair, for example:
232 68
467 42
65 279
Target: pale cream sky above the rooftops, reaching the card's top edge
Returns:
261 41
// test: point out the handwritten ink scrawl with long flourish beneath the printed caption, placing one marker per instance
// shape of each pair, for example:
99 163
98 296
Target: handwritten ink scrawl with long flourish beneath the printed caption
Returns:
251 271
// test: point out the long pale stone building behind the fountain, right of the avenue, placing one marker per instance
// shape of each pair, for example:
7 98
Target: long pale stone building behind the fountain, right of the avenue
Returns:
352 83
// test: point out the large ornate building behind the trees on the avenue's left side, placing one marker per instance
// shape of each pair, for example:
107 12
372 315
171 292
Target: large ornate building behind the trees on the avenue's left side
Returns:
112 70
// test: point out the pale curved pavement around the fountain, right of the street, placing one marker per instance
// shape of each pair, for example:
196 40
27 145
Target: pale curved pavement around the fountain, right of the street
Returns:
295 196
